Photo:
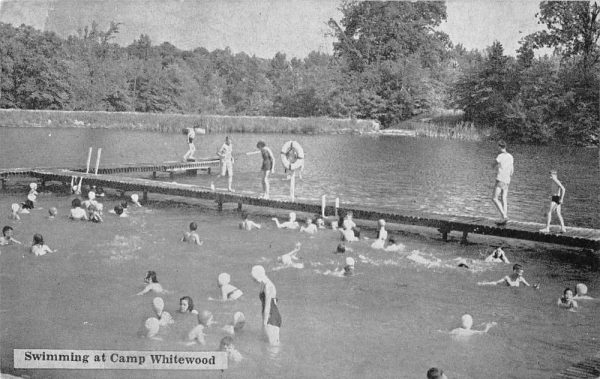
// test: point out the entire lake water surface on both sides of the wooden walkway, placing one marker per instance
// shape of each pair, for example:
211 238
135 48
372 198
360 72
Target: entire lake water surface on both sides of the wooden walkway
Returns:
390 320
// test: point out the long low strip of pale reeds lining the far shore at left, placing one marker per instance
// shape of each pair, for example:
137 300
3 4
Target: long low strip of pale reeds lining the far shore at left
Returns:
174 123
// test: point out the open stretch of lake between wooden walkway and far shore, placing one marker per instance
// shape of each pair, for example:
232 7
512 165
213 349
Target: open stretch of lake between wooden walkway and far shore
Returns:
399 173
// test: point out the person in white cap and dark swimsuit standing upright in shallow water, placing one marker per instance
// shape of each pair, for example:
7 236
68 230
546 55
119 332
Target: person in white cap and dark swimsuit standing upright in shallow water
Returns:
268 297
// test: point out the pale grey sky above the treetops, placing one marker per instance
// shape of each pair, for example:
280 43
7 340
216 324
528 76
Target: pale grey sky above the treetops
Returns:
259 27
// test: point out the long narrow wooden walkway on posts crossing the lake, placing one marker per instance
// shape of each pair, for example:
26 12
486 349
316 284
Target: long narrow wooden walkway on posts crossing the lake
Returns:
575 237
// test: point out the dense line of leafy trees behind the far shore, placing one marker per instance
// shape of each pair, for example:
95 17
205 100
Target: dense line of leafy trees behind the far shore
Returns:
390 63
